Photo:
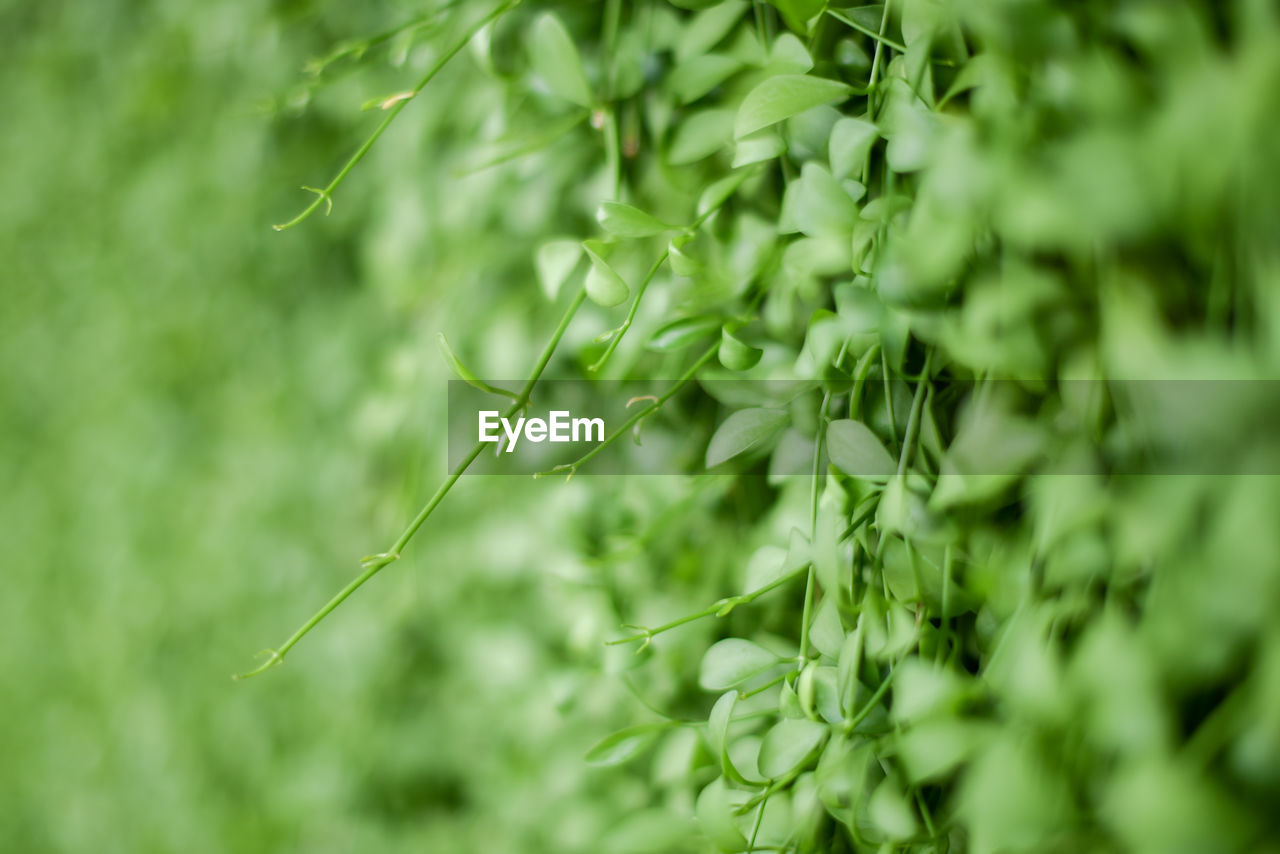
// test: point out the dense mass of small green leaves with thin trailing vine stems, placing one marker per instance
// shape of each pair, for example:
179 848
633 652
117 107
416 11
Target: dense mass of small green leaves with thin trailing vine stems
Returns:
971 628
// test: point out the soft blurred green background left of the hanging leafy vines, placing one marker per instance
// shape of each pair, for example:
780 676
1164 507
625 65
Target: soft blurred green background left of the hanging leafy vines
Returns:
205 426
